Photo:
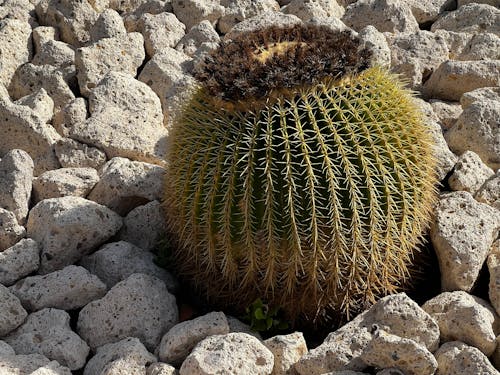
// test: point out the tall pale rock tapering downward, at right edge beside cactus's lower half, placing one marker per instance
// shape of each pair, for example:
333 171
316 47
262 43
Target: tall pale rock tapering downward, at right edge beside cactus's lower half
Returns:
462 233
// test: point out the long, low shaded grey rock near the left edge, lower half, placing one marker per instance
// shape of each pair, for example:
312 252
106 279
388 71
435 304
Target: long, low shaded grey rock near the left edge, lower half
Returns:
67 289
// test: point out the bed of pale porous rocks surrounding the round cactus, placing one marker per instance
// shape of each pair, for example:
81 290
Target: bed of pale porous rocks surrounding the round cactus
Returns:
88 89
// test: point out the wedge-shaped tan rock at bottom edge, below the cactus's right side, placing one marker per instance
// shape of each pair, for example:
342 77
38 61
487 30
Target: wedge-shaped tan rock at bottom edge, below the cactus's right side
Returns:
387 350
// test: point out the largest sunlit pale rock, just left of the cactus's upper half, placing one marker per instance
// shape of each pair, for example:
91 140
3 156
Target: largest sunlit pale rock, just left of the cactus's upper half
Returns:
126 120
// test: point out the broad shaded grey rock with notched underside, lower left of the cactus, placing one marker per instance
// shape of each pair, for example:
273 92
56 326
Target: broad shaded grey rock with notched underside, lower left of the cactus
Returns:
139 306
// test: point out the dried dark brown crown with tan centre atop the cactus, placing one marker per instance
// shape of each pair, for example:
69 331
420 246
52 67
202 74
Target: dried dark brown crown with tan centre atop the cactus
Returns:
252 66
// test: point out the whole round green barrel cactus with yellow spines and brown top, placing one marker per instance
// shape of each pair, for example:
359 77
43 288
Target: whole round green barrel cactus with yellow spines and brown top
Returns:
299 174
